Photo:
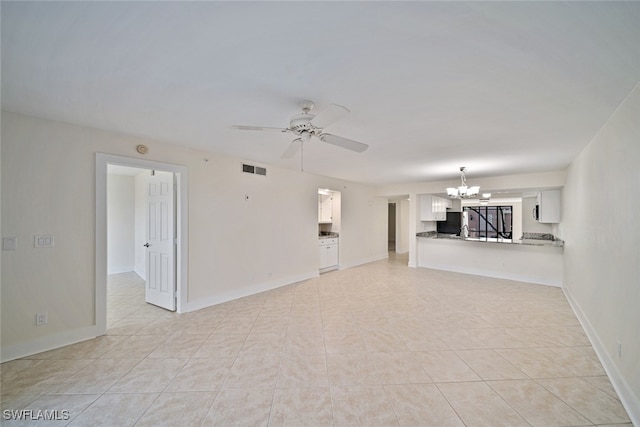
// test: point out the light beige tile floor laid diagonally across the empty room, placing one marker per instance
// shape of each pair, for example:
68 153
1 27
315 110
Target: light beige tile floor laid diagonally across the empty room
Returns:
380 344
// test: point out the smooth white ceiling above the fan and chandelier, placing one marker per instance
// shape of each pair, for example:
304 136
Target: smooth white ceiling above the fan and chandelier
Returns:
498 87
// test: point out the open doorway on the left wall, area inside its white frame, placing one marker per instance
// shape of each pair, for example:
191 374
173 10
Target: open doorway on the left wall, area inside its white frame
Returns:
129 254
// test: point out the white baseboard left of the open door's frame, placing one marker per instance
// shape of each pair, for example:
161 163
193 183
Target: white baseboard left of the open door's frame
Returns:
46 343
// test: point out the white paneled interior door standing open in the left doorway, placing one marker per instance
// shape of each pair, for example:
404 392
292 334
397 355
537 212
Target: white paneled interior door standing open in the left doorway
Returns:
160 246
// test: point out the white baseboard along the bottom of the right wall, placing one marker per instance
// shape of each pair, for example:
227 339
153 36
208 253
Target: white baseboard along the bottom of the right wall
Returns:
629 400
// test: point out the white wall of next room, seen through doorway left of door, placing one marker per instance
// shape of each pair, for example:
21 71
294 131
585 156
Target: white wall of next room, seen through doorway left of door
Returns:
120 224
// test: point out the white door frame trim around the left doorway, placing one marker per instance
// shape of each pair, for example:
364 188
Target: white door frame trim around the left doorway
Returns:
182 222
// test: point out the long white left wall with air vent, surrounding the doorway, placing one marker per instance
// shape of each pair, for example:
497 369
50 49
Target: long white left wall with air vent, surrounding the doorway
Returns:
236 246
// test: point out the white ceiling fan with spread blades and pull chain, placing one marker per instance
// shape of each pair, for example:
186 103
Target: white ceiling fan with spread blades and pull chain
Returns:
305 125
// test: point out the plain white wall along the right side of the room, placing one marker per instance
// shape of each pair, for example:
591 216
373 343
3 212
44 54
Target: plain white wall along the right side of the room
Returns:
601 230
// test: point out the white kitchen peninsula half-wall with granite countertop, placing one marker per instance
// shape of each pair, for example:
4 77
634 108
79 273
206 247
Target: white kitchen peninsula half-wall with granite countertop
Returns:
532 260
